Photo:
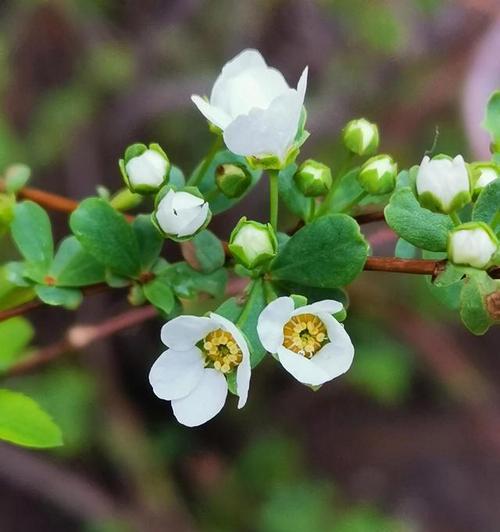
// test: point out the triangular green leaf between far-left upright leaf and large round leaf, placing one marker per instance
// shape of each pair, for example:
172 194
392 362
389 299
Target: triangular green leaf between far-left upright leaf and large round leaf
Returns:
73 266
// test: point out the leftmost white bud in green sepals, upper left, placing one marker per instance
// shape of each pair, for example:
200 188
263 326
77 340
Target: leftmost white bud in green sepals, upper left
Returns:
144 170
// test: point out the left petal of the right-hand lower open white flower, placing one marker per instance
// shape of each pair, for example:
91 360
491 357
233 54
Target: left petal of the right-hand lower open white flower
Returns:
271 322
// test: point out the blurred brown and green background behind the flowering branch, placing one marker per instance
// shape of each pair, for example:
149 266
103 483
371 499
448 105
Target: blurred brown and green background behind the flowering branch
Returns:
409 440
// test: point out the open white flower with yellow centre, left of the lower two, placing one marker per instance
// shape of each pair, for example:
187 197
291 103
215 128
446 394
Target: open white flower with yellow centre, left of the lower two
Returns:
192 372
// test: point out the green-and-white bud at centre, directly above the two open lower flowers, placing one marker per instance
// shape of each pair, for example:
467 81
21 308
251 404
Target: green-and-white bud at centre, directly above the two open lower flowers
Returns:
252 243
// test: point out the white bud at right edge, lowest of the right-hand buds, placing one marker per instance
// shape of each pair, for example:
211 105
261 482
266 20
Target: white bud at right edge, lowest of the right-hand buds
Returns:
472 244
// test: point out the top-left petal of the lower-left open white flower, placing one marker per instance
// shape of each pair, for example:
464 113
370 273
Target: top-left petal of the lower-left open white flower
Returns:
183 332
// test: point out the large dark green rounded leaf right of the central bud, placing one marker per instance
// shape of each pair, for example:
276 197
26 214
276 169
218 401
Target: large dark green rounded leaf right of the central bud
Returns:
328 253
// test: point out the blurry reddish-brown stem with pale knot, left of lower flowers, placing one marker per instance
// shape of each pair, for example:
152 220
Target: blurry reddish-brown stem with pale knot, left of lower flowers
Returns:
80 336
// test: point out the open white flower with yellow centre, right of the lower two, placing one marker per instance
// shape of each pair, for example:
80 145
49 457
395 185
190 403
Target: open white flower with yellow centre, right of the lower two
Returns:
308 341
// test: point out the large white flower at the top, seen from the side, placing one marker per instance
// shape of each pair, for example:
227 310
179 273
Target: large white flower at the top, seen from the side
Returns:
254 106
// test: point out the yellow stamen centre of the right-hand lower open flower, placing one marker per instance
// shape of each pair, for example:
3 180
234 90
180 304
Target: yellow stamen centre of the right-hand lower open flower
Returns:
304 334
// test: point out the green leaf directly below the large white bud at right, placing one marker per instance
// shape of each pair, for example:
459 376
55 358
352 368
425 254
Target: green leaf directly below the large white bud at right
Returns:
418 226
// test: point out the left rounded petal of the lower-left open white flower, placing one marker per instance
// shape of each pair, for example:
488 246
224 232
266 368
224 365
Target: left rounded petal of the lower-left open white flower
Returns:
175 374
